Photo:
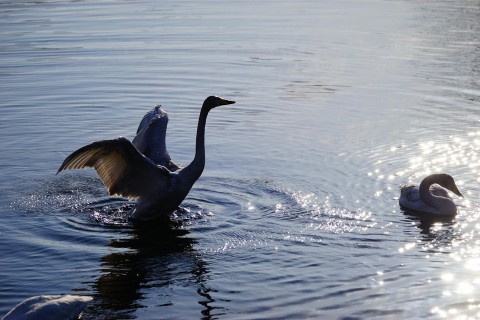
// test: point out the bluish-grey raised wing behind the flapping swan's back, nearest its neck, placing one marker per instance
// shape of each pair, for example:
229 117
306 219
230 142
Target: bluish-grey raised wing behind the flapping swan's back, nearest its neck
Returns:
151 137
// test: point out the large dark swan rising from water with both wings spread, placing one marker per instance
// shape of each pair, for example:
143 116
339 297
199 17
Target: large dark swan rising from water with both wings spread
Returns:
152 178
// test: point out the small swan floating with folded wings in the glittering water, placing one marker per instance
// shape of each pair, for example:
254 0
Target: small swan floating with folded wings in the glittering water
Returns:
430 197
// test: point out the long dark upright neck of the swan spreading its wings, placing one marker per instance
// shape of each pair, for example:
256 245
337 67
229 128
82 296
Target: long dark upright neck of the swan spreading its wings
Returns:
194 170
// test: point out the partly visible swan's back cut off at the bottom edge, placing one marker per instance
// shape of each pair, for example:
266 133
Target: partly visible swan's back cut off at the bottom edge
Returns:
49 308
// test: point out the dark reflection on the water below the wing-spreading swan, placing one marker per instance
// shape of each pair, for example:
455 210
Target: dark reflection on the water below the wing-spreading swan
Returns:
155 256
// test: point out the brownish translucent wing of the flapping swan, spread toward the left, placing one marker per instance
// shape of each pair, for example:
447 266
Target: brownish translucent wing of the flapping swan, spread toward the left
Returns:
123 169
